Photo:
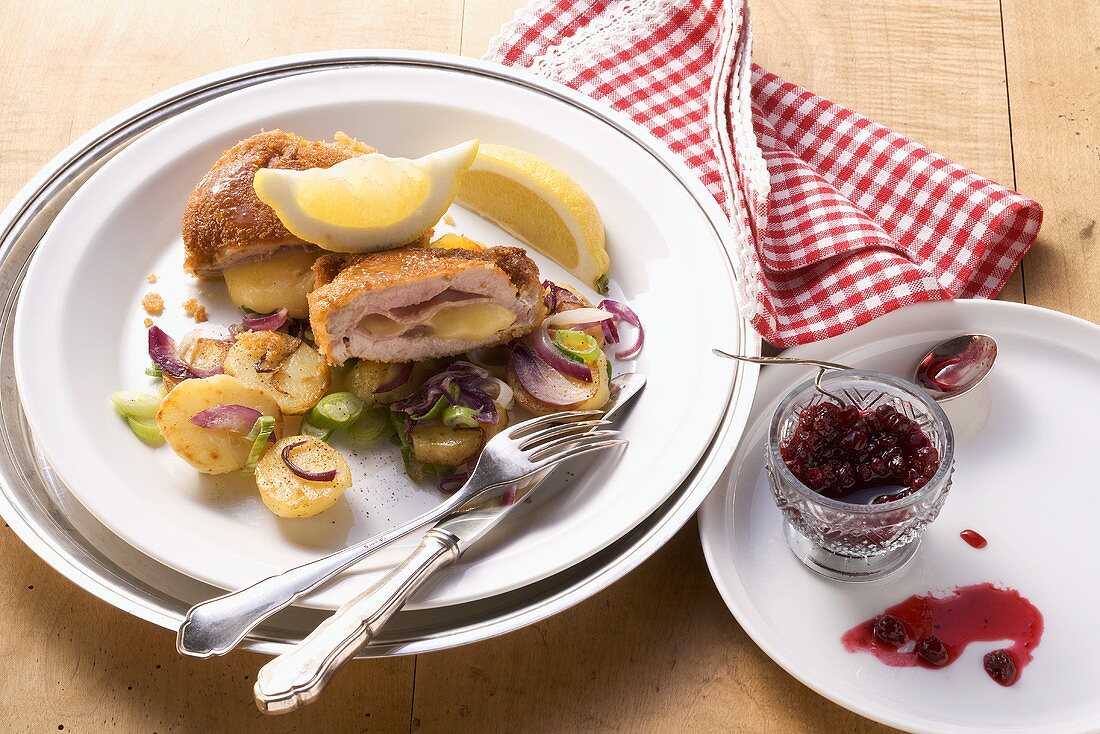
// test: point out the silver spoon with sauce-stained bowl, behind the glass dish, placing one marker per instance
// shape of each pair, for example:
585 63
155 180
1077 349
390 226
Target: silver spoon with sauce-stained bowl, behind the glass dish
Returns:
949 370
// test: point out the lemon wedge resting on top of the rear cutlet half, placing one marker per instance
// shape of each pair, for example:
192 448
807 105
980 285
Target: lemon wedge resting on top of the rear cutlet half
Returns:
367 203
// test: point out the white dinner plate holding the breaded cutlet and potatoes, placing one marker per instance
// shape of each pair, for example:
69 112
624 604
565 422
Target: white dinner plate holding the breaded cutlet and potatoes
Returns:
80 333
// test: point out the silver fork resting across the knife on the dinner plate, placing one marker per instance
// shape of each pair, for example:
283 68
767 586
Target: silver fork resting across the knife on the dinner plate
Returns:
218 626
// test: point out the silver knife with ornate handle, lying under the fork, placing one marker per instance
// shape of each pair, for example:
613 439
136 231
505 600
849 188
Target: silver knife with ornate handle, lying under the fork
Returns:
299 677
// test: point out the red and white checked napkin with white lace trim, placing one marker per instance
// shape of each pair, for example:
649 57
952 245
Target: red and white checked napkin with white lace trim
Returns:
838 220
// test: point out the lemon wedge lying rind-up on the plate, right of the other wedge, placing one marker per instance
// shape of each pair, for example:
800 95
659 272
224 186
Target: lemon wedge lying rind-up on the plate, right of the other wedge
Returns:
542 206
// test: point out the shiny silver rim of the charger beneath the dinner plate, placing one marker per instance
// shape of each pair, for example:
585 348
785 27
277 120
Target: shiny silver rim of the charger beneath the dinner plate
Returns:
57 174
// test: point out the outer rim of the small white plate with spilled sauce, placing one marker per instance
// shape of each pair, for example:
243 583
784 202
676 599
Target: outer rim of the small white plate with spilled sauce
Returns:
728 579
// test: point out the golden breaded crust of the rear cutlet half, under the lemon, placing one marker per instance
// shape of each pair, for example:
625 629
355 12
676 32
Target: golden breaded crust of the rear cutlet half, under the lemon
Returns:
226 225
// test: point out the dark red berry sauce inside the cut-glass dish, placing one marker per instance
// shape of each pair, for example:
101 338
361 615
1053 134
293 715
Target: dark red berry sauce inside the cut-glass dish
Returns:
845 454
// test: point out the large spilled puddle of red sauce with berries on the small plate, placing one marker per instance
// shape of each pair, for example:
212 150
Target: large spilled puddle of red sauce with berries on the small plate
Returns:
933 632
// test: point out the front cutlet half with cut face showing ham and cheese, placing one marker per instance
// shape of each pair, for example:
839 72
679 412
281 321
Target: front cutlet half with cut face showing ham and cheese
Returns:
421 303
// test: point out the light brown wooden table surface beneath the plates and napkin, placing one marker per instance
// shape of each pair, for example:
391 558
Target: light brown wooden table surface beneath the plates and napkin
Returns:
1007 87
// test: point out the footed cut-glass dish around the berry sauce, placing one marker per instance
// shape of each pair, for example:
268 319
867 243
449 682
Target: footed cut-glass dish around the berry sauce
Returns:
845 541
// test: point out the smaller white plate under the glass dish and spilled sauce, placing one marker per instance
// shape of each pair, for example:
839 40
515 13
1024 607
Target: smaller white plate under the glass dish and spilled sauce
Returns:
1028 483
